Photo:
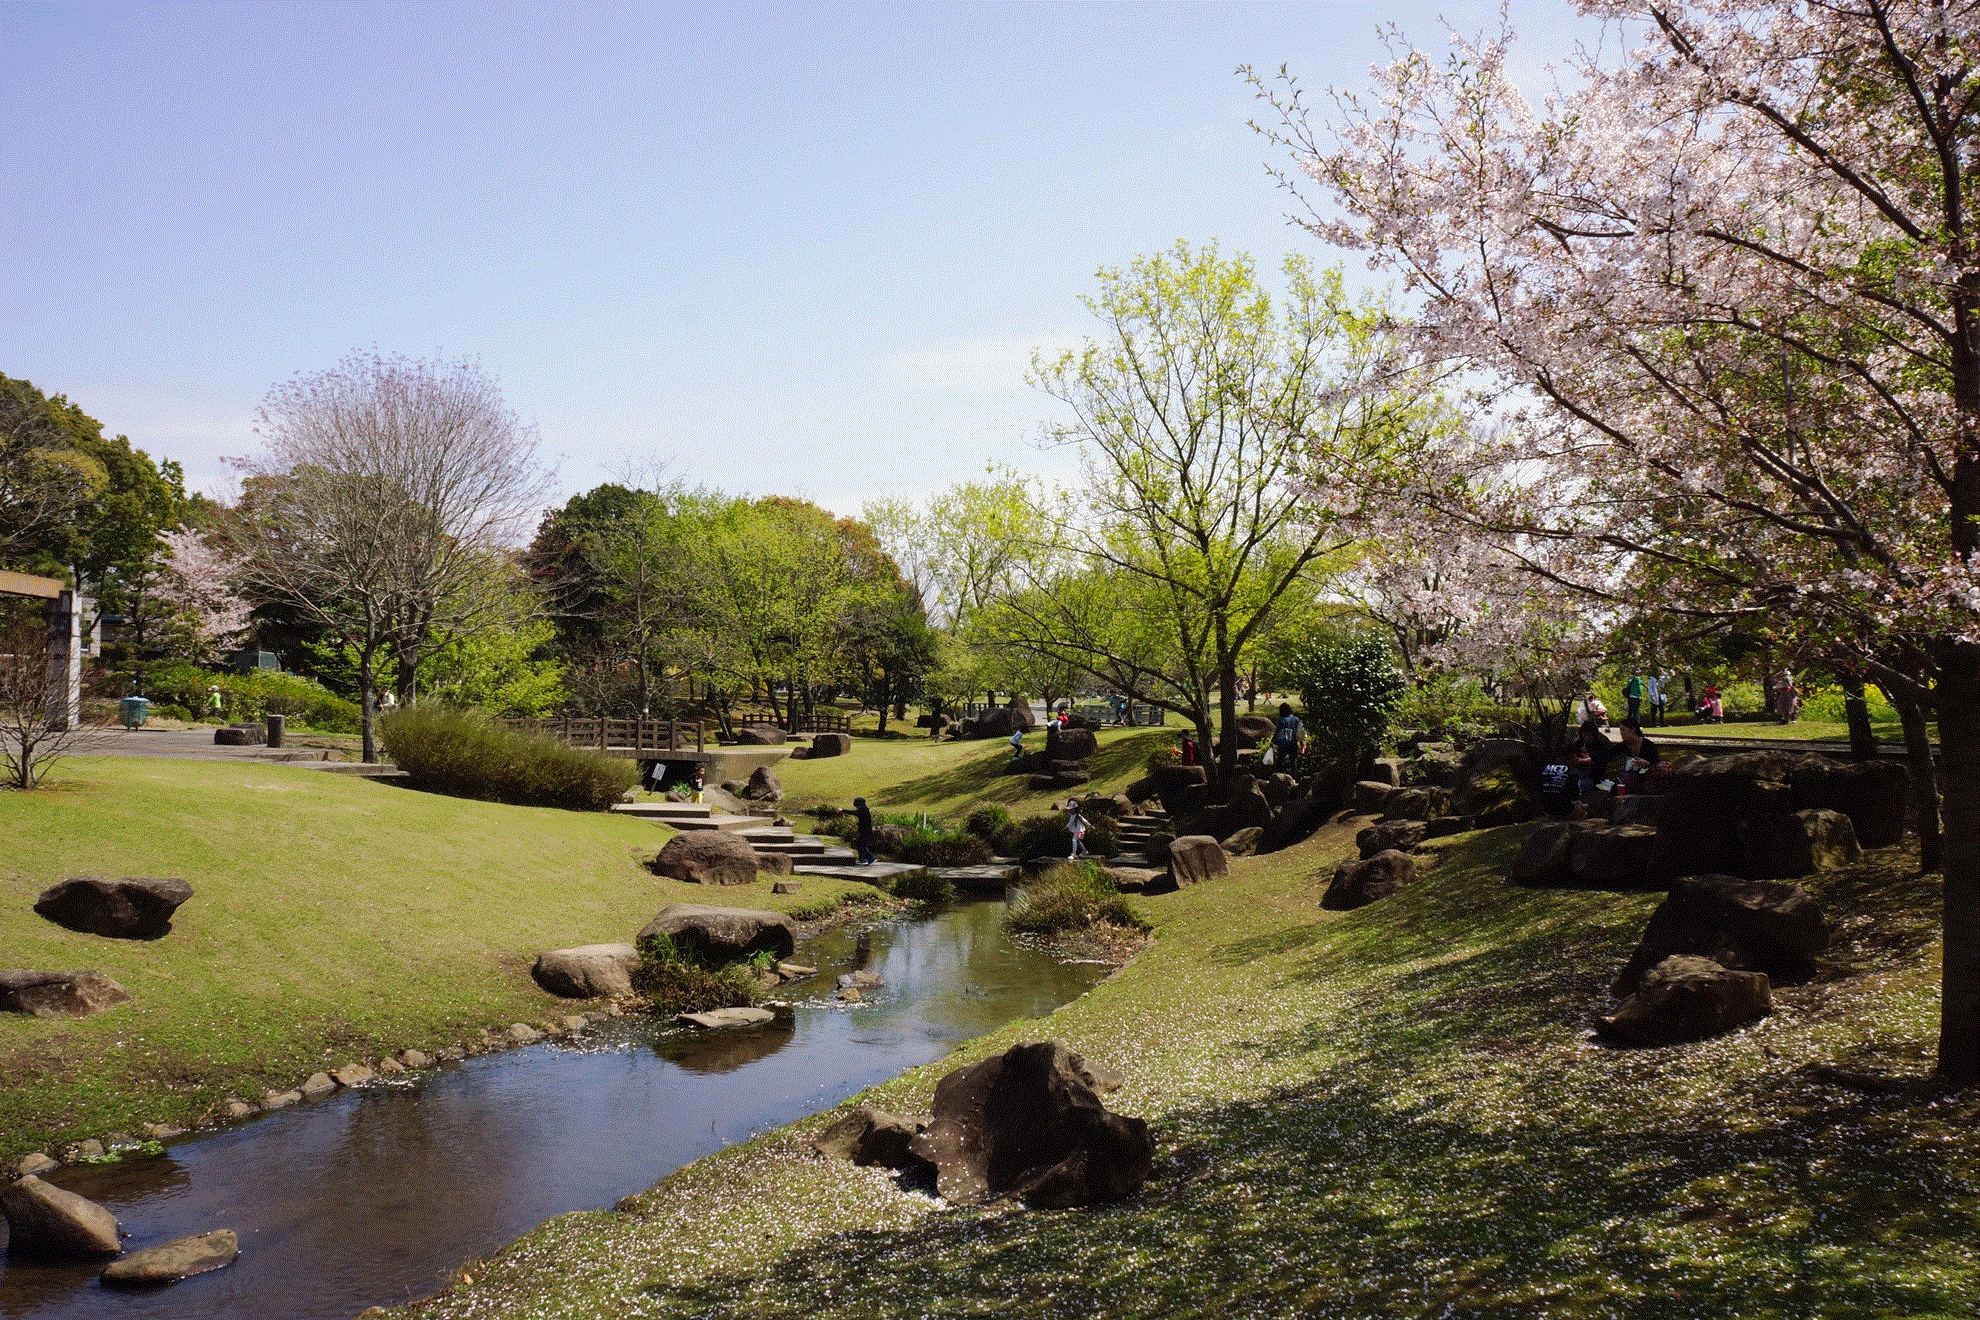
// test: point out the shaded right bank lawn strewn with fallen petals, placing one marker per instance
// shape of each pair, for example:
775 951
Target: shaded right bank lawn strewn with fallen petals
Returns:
1379 1113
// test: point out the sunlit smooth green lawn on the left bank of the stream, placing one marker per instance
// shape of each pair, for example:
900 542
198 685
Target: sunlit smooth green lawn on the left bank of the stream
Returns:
334 919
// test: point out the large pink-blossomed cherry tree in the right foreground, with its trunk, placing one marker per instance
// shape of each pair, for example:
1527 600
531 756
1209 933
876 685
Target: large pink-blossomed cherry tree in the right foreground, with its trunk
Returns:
1722 296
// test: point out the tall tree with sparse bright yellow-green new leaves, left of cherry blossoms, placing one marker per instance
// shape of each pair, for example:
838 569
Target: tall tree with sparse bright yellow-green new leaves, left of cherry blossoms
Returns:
1203 413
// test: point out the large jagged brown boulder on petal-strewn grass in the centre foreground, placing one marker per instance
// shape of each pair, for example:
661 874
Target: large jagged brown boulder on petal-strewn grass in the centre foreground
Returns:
1027 1123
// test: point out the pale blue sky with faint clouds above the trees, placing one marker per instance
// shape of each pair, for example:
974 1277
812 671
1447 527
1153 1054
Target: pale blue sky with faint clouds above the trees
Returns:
795 250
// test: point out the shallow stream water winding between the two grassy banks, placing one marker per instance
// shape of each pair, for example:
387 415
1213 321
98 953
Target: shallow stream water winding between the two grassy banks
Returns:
373 1196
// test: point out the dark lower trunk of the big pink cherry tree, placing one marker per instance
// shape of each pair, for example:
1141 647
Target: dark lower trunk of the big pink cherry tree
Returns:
1959 741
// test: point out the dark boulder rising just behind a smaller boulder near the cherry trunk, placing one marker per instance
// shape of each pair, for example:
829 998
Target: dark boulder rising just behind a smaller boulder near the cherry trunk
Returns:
1743 925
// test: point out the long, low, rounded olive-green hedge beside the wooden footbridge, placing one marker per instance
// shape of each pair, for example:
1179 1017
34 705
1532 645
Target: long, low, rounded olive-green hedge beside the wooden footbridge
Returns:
466 755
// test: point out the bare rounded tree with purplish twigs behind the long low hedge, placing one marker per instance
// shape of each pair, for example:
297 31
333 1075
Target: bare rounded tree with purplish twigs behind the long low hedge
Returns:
383 492
